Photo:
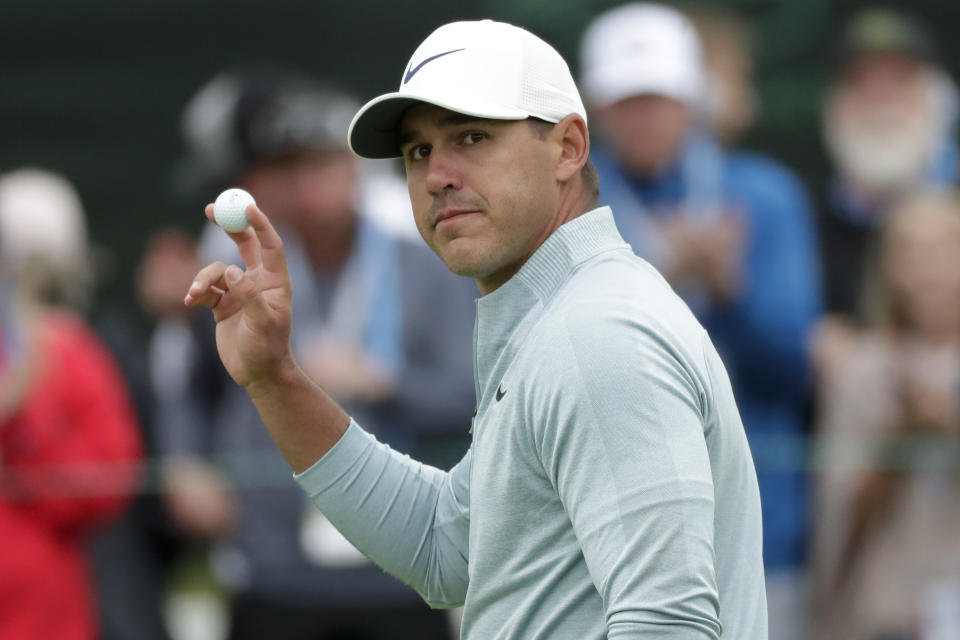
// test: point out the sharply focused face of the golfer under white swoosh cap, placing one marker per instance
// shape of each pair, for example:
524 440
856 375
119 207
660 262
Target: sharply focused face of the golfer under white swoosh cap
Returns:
484 192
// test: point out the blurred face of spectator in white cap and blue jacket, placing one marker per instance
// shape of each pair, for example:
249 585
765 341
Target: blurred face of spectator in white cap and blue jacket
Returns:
646 131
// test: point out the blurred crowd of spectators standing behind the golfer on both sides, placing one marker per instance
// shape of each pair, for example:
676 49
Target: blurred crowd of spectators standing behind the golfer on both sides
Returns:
834 303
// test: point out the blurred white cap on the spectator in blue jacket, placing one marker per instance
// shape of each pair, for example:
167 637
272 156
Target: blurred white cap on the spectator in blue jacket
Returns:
641 49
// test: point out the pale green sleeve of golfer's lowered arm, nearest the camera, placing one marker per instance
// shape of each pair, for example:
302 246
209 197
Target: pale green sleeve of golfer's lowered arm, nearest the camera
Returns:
626 451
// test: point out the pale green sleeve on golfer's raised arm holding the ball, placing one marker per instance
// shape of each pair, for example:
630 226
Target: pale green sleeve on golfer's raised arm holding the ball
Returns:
409 518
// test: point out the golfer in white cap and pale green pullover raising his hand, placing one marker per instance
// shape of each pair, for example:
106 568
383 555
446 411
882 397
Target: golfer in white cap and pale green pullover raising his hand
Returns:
609 490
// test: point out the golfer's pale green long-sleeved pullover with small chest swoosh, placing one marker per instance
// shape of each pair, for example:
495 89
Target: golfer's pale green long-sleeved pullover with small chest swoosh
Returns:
609 491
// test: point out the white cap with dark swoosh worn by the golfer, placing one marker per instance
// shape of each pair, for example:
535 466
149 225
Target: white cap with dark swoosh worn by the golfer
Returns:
486 69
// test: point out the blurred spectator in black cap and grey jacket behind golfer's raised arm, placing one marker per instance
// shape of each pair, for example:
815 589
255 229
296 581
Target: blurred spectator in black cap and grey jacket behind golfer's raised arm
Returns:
367 331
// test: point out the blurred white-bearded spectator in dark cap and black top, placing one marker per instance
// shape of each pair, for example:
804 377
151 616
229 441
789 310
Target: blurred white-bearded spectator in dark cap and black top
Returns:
889 122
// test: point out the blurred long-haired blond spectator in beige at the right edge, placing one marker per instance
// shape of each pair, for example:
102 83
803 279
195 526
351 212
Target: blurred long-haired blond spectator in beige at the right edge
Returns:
888 508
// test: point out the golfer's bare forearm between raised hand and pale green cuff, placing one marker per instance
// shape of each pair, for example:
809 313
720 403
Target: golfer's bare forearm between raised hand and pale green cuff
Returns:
303 420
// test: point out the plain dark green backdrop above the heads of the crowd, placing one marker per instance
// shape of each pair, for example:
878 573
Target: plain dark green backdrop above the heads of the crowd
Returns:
94 88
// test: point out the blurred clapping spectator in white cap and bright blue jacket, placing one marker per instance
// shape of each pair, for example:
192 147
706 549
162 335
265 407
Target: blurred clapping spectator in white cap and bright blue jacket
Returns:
733 234
